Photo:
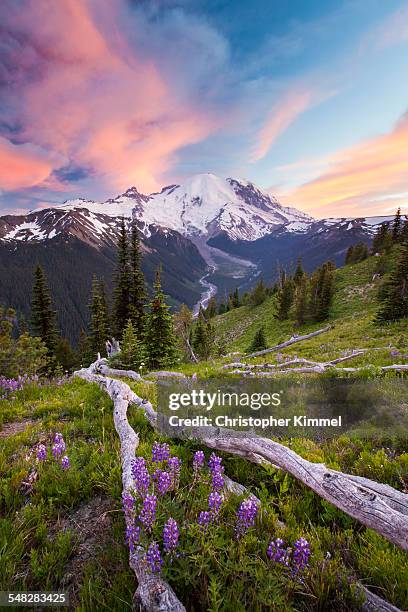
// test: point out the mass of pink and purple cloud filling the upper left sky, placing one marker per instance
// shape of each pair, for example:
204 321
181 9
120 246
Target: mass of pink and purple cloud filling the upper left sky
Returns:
90 82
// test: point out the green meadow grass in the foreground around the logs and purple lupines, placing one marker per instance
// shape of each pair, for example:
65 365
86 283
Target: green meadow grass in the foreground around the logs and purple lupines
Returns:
214 572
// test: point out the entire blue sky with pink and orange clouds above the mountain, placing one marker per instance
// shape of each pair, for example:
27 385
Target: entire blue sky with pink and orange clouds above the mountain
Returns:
309 100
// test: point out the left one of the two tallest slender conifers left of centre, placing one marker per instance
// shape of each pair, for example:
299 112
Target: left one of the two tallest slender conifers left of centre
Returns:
121 308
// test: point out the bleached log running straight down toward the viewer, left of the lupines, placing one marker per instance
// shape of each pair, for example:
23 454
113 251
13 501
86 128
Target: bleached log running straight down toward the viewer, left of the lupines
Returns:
152 594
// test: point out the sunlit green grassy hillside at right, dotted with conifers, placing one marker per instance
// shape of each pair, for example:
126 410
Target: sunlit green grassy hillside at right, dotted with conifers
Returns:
354 307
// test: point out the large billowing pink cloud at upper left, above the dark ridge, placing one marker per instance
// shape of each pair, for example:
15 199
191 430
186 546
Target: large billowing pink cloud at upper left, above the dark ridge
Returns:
89 95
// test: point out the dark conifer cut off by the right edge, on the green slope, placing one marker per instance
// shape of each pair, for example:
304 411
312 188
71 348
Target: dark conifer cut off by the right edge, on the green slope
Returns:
395 293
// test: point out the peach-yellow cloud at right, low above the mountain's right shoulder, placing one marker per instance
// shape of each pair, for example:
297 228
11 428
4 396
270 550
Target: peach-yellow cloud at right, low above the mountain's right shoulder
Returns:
358 179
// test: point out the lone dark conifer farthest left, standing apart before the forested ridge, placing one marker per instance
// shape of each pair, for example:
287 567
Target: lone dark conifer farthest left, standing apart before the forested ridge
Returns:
42 313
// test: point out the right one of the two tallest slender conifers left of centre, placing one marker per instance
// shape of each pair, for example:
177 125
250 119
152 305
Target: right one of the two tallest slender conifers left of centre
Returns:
137 294
